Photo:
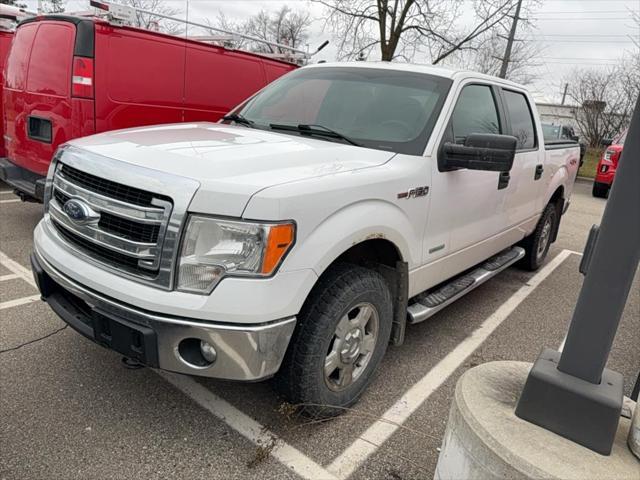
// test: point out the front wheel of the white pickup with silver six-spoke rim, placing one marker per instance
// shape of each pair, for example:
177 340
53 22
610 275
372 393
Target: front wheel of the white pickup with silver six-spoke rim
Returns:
342 334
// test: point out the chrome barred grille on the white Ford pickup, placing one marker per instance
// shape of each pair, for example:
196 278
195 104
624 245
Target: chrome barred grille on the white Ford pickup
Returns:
130 230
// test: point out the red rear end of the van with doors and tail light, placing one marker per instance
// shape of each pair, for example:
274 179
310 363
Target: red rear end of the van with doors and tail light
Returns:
48 93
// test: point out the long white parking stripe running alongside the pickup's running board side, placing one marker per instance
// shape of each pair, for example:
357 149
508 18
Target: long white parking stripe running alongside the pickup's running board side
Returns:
373 438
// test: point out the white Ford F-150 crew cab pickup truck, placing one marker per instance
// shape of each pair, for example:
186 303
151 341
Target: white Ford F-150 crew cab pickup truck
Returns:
300 236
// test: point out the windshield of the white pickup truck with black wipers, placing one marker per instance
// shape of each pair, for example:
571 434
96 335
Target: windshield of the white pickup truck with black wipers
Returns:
377 108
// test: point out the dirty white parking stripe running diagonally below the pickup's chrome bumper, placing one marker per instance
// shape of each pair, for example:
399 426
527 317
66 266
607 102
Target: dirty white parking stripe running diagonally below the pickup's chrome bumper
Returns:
248 427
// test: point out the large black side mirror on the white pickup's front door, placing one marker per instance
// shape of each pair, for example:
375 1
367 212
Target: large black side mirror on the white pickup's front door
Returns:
481 151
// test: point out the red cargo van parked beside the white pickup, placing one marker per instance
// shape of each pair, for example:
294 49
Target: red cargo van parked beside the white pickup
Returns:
69 76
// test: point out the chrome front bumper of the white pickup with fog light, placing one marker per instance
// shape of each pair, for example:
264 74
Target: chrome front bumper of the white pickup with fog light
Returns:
244 352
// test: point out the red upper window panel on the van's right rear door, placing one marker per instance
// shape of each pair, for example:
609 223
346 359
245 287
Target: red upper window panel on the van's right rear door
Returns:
50 63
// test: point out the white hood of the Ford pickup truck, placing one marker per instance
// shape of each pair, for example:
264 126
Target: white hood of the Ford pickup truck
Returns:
231 163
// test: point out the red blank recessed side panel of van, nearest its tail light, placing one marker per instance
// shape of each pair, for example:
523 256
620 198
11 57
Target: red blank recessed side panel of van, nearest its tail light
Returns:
144 70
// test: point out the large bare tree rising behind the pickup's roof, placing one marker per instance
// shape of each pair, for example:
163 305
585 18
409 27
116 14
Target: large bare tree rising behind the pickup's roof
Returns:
402 28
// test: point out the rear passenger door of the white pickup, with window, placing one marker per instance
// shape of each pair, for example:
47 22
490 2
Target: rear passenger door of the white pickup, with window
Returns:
526 183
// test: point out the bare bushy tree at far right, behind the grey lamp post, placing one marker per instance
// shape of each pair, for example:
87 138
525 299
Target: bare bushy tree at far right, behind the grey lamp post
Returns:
605 98
